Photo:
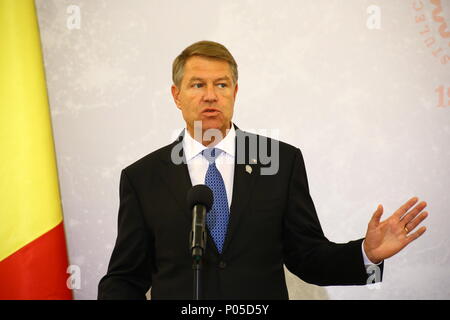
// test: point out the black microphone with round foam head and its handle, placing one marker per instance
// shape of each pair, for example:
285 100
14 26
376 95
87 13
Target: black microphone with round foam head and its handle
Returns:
199 201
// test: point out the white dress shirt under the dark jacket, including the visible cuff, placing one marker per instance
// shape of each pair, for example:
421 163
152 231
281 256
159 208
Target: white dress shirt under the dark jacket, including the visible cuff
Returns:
198 165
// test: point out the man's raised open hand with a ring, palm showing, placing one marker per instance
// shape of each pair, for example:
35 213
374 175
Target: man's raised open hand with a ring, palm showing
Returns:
386 238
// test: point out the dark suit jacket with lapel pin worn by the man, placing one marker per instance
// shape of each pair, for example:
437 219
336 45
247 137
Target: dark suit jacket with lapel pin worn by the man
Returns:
272 222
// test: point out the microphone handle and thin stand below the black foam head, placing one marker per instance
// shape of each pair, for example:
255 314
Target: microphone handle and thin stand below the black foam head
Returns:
198 245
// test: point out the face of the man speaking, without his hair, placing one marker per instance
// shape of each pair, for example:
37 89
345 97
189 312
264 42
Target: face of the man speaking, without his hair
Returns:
206 94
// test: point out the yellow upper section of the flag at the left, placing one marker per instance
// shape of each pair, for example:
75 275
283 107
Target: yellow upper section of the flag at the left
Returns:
29 193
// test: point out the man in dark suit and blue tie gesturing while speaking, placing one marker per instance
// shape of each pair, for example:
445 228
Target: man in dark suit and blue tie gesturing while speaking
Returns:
262 218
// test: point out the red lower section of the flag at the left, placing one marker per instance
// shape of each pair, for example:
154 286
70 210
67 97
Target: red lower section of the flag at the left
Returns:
37 271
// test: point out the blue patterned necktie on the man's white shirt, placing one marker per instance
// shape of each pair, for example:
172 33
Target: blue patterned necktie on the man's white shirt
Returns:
217 218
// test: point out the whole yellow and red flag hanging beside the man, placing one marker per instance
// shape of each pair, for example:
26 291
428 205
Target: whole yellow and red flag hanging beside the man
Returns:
33 254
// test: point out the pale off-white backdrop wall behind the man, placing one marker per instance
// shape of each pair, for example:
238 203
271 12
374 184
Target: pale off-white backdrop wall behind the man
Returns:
362 87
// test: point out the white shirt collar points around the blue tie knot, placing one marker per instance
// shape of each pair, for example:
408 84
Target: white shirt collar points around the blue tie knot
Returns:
192 147
